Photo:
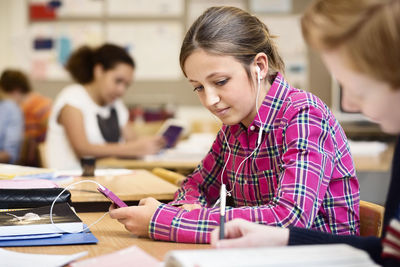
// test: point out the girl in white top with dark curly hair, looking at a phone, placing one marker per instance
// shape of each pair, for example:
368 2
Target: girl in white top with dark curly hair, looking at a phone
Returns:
89 118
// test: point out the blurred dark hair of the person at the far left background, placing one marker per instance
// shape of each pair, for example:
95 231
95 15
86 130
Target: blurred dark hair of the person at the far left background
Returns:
14 80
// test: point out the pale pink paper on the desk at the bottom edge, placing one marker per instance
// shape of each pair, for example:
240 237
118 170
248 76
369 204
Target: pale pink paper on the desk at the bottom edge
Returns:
131 256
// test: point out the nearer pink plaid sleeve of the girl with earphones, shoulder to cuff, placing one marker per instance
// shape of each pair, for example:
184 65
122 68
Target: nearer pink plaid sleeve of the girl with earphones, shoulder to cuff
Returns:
308 162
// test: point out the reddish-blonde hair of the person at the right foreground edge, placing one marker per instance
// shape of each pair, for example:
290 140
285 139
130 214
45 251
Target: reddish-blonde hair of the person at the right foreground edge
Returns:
367 31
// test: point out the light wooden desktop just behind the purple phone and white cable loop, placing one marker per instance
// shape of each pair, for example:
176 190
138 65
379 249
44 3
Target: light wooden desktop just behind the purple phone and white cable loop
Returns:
129 188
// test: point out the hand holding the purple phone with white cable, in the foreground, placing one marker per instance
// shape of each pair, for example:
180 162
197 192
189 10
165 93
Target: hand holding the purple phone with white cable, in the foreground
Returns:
136 219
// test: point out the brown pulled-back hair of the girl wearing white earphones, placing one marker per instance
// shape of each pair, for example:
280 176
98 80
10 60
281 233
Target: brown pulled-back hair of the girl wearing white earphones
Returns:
233 32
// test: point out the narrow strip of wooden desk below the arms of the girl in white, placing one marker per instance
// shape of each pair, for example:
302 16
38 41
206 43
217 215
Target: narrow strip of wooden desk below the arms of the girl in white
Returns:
183 167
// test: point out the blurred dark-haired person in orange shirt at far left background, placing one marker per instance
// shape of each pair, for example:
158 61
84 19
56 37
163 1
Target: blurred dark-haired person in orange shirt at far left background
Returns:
36 110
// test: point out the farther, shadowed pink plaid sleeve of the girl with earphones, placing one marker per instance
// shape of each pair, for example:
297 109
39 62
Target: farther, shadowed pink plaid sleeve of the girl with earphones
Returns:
202 186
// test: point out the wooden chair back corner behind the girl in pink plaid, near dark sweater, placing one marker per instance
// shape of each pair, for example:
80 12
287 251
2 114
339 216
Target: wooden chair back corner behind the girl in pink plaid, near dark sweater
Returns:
371 219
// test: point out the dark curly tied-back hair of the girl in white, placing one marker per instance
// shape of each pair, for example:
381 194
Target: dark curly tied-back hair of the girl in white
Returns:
81 63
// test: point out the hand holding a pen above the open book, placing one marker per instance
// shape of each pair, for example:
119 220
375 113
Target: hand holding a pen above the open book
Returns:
241 233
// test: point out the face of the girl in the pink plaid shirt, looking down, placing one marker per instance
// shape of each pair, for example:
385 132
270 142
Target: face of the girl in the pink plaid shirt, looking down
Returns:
223 87
